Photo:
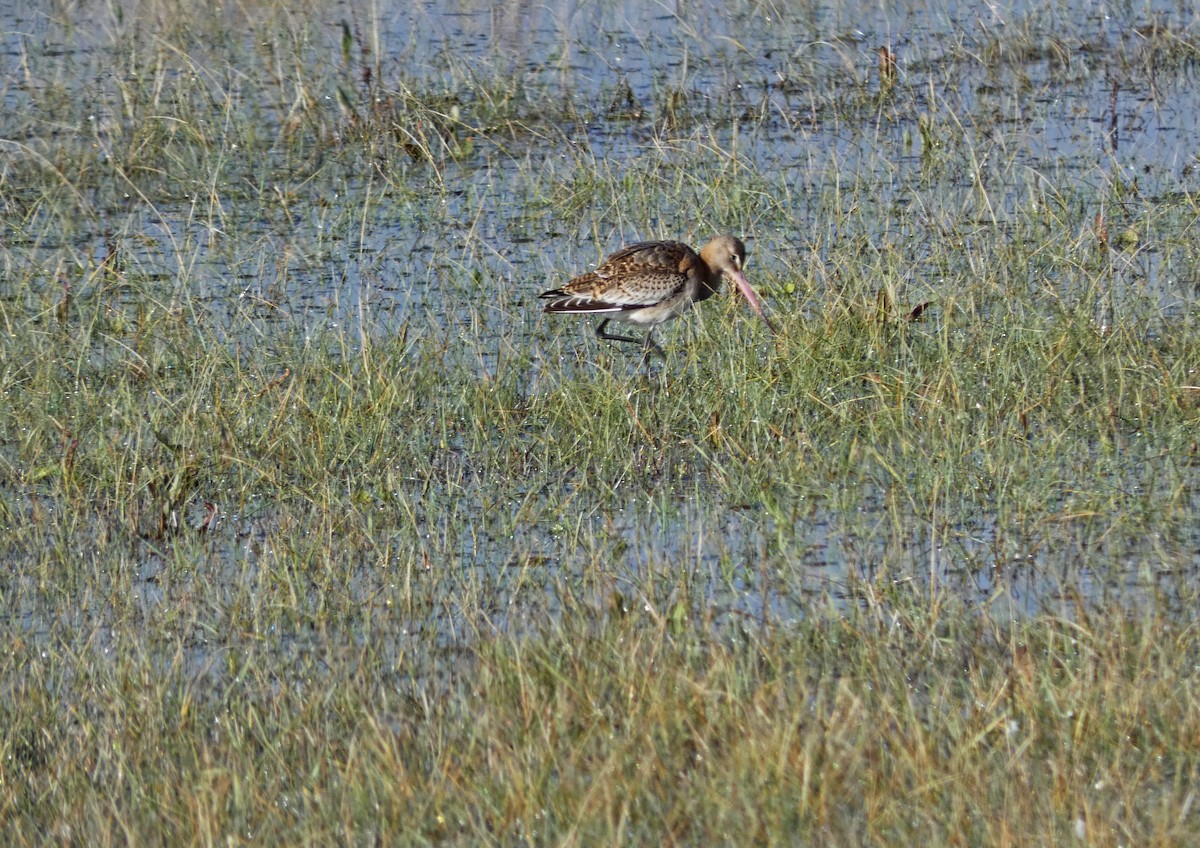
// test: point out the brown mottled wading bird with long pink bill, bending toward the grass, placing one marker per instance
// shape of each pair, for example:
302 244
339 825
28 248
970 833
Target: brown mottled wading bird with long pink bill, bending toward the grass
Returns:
652 282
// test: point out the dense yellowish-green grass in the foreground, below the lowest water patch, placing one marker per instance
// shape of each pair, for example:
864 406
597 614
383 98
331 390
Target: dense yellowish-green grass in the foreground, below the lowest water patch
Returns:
937 724
